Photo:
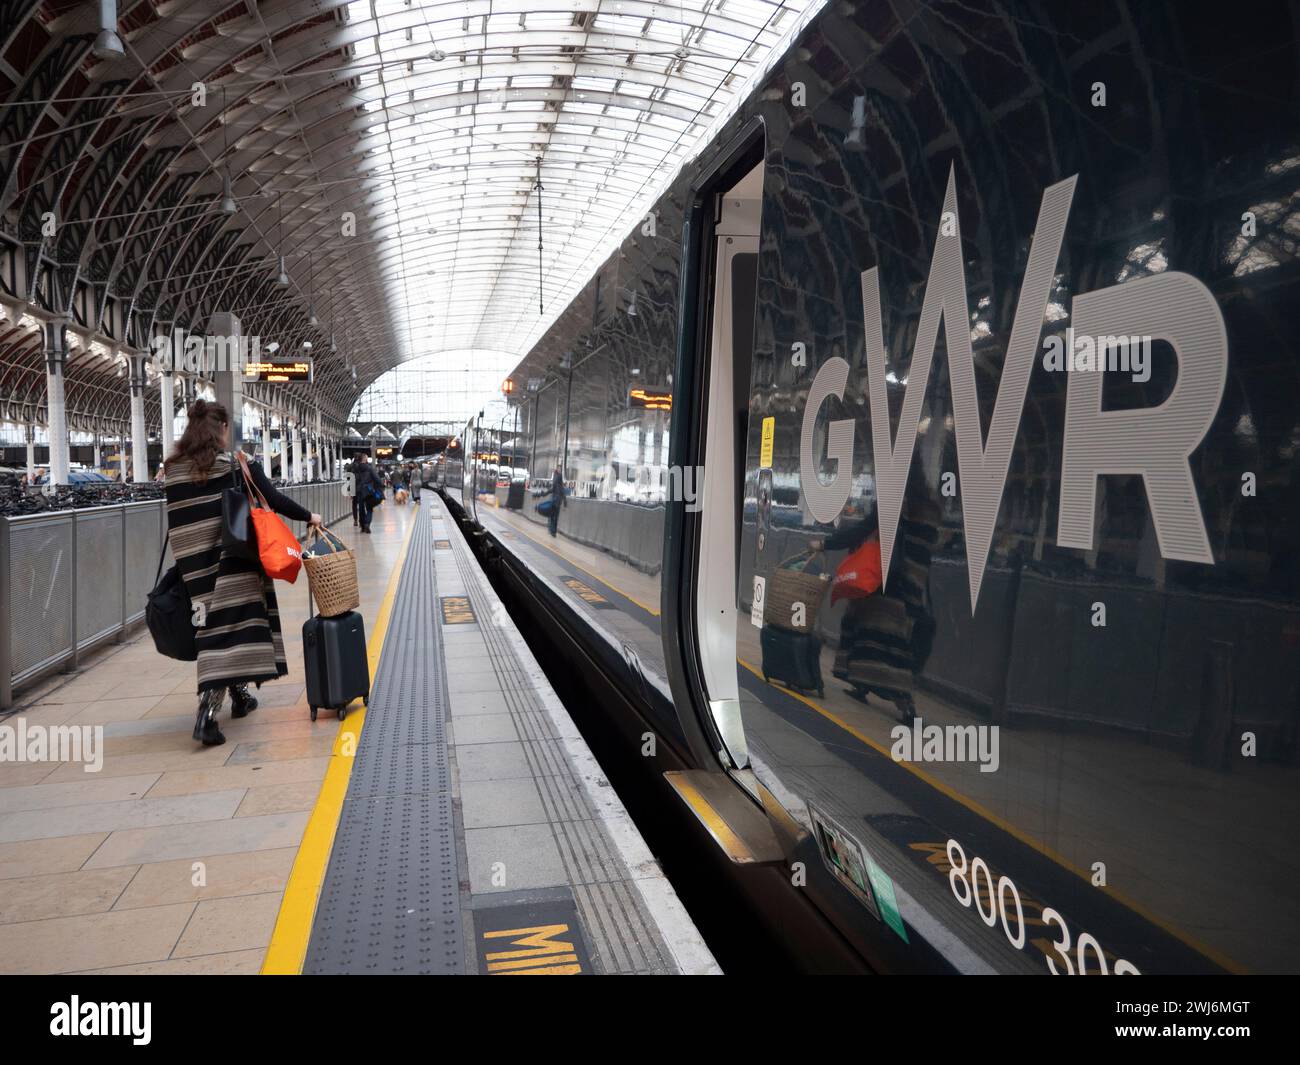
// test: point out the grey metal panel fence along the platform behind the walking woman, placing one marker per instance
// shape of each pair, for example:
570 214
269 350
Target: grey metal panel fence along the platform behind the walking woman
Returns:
73 579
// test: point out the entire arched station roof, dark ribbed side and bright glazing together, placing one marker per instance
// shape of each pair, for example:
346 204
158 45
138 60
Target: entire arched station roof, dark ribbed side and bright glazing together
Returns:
362 176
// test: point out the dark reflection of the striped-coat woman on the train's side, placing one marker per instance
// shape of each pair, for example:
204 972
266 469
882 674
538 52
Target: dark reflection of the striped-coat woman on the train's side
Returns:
886 638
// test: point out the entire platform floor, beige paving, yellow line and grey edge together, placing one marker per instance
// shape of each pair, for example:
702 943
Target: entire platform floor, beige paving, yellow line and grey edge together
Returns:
457 825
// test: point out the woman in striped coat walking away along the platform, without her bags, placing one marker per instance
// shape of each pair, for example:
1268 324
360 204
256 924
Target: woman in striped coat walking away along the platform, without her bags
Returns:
236 613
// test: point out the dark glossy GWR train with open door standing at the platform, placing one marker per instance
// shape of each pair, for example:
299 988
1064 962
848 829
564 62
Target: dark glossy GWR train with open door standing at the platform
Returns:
964 363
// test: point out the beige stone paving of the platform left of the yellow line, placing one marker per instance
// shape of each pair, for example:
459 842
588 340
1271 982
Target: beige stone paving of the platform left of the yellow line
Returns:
174 858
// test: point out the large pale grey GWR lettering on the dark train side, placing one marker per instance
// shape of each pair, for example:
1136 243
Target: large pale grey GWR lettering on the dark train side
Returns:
1154 443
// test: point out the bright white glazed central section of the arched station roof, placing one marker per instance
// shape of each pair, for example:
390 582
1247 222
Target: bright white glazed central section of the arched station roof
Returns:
470 106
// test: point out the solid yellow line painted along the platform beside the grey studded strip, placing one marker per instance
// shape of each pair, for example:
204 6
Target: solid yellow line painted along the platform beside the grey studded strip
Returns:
288 950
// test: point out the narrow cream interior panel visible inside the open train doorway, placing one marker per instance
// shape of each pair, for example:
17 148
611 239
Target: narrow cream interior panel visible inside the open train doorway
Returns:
734 298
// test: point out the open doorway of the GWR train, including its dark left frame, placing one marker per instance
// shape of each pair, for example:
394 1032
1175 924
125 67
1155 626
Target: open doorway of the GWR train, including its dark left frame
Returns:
709 491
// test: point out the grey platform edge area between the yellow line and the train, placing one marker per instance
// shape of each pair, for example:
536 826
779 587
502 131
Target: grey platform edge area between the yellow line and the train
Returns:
478 833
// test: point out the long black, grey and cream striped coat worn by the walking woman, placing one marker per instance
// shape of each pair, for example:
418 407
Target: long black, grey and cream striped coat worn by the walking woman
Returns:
240 642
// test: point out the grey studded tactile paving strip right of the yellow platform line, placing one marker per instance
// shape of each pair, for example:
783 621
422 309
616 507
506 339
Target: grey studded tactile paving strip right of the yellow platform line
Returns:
391 902
